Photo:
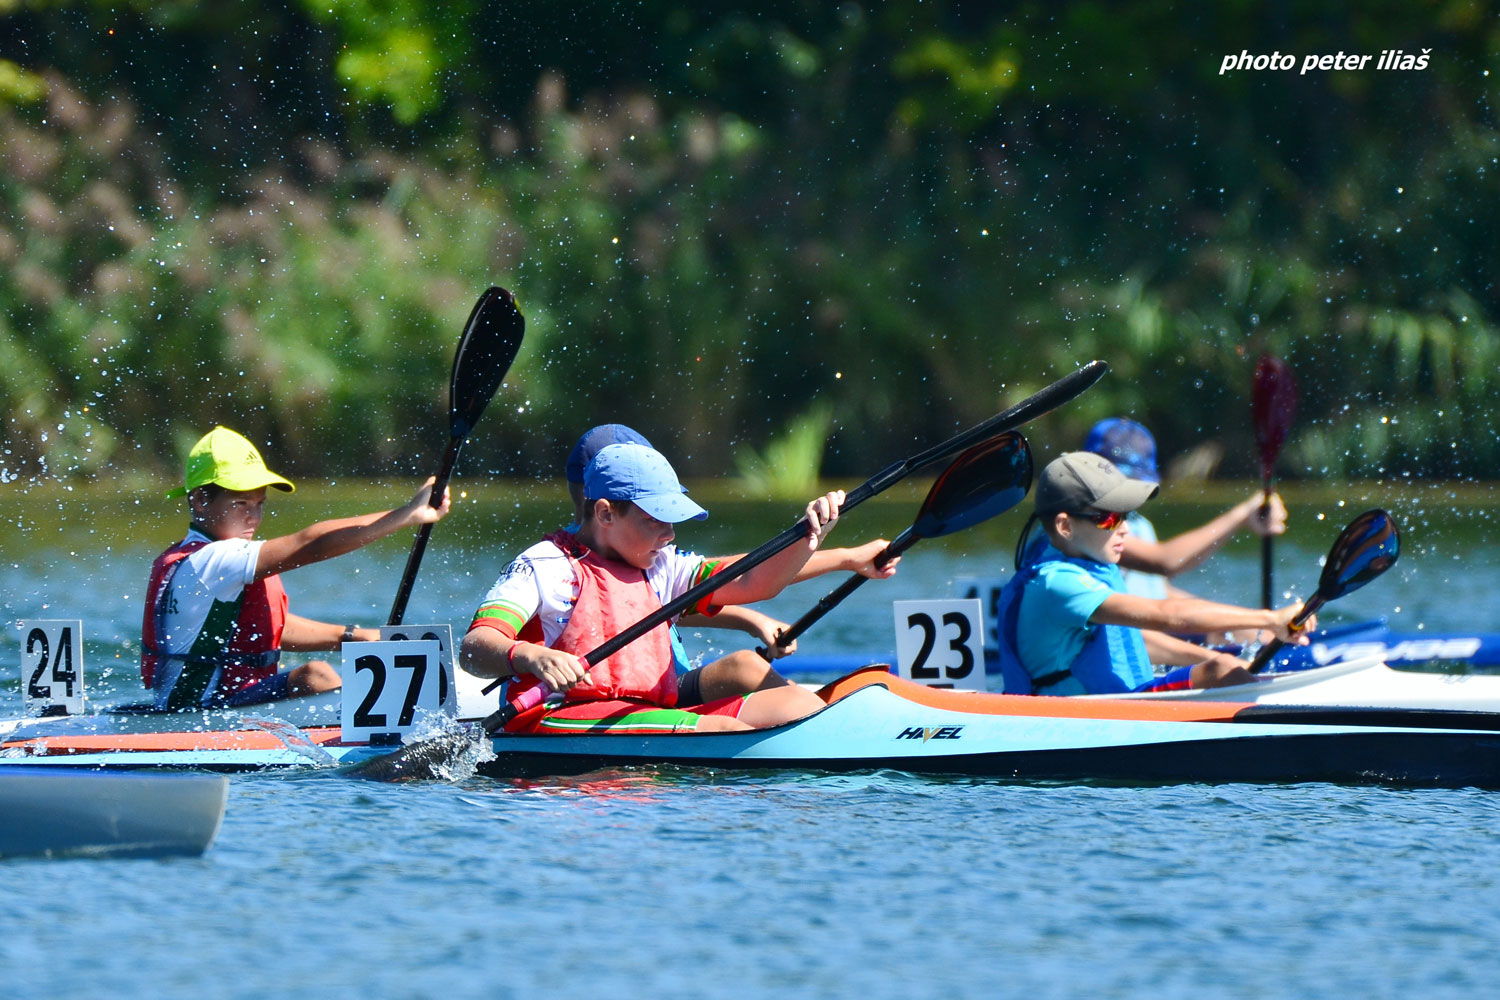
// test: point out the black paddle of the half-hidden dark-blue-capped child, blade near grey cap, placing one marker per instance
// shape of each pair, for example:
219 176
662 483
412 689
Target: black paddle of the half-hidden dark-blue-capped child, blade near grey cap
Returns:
986 481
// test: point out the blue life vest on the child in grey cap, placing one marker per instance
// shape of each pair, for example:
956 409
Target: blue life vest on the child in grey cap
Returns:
1114 659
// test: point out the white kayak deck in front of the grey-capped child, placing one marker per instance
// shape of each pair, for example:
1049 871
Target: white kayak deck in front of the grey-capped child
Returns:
1361 684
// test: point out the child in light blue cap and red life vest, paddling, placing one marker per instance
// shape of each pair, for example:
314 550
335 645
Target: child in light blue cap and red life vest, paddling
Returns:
572 591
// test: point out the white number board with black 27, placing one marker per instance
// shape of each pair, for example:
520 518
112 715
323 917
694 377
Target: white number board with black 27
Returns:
386 684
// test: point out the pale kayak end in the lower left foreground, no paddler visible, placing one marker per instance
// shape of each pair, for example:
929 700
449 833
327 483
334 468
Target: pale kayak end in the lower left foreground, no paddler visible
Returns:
76 812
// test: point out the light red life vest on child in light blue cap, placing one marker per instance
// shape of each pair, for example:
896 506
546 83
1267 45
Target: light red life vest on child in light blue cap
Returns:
610 599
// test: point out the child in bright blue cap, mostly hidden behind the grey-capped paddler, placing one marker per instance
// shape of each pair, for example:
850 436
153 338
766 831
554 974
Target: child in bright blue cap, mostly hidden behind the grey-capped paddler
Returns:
1148 563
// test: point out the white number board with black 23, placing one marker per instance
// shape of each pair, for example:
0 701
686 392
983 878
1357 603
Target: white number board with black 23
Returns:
941 644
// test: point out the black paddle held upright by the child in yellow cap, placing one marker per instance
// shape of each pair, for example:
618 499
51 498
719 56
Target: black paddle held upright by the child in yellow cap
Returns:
490 344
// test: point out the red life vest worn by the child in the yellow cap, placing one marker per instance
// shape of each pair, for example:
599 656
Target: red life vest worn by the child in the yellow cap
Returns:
254 645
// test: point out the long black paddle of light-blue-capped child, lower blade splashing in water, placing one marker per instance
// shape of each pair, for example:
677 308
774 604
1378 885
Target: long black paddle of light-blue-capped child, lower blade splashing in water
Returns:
427 758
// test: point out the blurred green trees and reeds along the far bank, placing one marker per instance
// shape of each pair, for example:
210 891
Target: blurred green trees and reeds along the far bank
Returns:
727 221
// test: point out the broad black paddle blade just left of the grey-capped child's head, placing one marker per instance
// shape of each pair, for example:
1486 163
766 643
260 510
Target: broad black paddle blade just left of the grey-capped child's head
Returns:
986 481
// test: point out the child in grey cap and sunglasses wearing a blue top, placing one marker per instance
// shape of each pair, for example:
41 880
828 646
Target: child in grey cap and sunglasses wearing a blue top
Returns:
1067 624
